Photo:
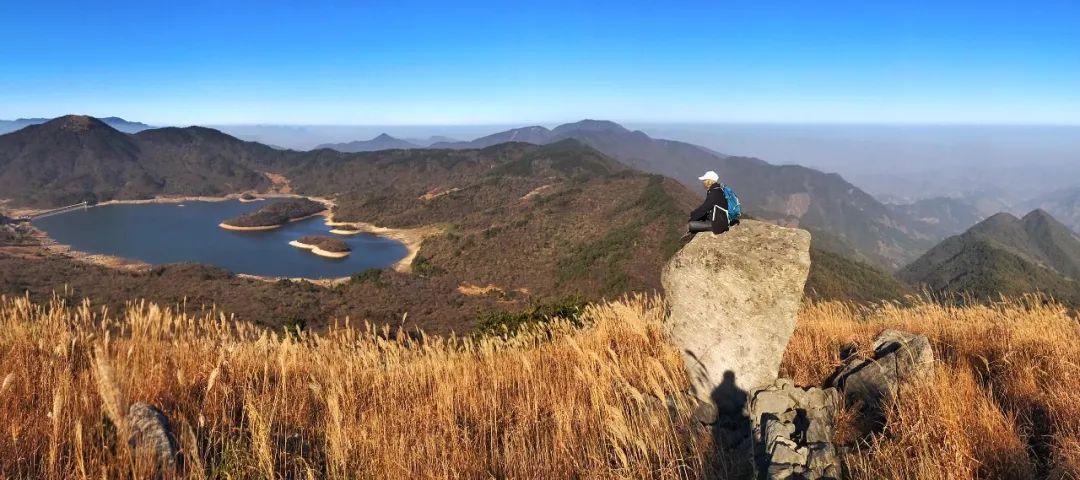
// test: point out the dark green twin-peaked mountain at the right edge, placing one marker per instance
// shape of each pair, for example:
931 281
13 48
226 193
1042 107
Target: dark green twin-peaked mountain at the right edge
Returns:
1004 256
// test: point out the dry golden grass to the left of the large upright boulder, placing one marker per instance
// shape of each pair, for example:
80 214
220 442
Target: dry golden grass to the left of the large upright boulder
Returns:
347 404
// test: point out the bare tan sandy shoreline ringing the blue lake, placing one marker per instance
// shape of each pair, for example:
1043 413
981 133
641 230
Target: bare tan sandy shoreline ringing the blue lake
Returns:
411 238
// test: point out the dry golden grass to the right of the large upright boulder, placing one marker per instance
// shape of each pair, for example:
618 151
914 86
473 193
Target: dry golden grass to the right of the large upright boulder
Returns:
1005 403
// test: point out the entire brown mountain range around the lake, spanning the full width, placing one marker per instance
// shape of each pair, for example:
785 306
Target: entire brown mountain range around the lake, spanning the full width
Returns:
564 215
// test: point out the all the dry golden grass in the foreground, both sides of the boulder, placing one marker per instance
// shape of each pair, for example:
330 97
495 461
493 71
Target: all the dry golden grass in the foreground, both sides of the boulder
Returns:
555 403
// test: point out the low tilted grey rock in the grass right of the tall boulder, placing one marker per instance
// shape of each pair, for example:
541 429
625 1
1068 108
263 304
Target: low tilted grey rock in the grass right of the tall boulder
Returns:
899 359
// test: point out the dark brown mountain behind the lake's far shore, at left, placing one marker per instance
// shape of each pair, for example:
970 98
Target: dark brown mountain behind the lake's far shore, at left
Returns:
77 158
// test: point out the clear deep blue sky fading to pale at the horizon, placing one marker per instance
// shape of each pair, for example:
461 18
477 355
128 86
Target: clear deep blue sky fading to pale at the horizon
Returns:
462 63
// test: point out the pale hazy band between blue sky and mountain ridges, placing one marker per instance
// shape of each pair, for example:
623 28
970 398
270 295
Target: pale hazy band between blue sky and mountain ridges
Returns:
894 163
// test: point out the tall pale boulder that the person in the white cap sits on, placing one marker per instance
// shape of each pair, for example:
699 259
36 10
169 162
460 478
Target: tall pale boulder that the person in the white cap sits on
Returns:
734 301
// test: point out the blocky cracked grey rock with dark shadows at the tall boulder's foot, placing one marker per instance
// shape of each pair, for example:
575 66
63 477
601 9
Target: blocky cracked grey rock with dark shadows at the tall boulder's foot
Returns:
793 432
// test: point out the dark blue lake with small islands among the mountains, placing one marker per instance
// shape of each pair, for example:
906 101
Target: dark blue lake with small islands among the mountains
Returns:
167 233
